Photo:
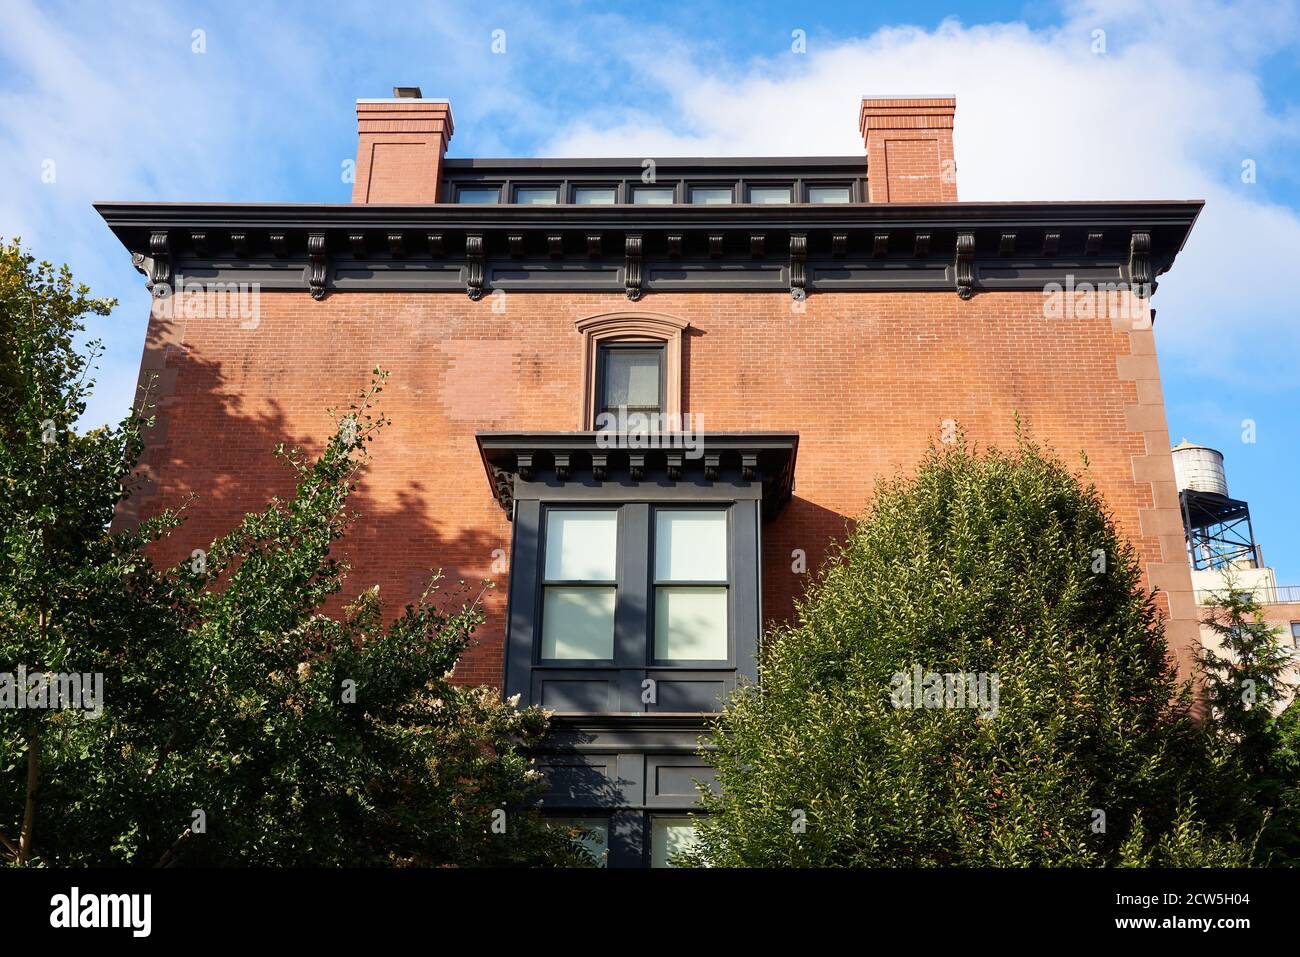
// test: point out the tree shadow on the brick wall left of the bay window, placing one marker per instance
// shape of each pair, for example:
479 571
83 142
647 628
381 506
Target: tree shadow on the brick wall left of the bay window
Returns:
215 456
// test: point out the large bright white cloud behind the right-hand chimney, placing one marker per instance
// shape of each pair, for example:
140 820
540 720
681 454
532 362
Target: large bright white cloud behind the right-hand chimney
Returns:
1168 112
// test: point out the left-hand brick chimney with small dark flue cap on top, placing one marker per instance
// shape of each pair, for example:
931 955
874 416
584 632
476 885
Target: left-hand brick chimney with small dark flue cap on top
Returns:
400 149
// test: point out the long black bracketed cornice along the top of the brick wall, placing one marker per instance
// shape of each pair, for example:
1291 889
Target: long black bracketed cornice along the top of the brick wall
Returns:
642 250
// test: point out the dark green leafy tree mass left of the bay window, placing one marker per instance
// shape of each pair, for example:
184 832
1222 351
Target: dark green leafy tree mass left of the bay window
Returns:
241 724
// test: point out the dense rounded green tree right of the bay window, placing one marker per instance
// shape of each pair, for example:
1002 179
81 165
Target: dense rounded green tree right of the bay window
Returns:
1007 569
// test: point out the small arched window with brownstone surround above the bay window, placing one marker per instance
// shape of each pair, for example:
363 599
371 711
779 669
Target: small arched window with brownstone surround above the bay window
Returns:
632 361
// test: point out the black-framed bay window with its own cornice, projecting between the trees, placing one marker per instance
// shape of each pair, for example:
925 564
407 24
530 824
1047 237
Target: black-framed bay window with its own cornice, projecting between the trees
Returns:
634 610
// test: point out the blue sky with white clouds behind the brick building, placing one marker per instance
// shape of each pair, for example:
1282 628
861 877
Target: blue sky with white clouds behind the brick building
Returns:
1112 99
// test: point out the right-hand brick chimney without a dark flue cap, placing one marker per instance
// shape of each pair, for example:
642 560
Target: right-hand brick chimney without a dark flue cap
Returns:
909 149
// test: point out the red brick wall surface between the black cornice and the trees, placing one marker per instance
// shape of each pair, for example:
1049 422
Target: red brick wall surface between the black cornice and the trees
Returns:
865 379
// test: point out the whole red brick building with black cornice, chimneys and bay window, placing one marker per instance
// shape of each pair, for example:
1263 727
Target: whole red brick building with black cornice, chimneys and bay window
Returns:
792 330
